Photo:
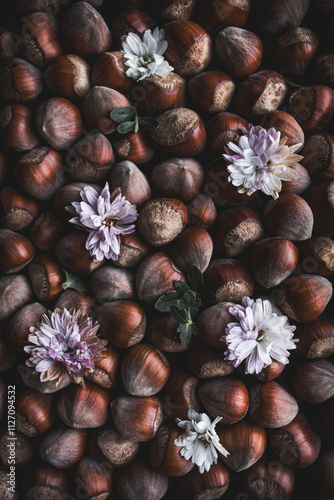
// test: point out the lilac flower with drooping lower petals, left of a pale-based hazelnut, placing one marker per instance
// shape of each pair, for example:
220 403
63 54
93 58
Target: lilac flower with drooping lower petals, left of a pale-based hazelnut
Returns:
106 217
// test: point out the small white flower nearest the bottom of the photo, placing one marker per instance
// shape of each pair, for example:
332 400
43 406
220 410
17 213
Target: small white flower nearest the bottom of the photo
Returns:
200 441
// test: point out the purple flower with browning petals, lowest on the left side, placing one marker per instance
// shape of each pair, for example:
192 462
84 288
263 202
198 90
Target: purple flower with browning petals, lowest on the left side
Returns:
64 342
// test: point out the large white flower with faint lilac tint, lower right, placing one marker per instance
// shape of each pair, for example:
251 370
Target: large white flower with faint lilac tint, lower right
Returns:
258 337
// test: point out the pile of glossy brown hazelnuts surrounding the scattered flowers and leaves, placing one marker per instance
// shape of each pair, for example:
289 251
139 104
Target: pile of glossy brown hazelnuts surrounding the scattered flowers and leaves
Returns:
236 62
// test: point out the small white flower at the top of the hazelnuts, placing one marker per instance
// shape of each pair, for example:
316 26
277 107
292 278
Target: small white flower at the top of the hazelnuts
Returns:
145 57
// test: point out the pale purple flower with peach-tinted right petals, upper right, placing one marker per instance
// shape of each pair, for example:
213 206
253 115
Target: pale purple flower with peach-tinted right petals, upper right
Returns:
261 161
